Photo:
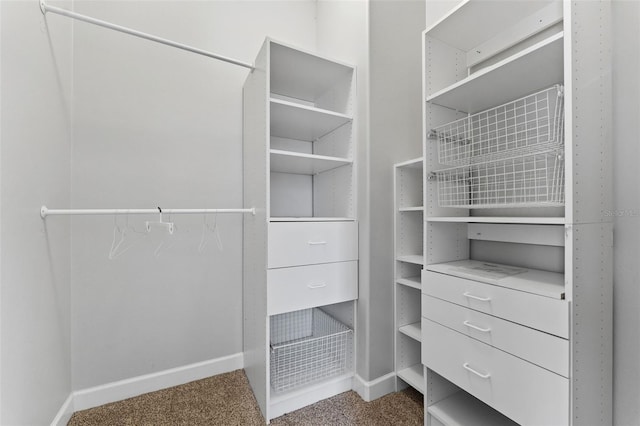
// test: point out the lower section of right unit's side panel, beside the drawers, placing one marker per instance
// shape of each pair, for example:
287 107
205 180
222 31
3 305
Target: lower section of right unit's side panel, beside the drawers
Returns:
592 324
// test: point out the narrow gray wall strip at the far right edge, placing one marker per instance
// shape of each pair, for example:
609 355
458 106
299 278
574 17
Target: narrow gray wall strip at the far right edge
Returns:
626 174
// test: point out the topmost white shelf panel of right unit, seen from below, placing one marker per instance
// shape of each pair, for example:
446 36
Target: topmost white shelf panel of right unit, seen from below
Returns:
474 22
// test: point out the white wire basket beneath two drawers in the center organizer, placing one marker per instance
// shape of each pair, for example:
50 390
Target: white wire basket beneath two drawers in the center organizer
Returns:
307 346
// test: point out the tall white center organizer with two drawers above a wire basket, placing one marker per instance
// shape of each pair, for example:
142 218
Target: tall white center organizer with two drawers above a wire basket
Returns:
301 247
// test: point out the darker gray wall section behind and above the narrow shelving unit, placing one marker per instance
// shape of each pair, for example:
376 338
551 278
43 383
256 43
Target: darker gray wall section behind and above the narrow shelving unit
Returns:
395 136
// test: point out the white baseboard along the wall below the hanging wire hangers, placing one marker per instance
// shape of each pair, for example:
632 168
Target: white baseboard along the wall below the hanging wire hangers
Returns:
128 388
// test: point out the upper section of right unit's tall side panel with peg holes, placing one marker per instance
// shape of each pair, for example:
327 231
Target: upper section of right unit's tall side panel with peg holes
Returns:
588 137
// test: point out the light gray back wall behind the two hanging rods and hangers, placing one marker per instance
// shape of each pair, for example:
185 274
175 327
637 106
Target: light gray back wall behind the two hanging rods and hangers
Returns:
155 126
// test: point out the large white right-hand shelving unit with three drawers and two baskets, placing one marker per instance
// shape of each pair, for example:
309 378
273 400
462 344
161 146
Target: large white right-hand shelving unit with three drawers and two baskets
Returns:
516 288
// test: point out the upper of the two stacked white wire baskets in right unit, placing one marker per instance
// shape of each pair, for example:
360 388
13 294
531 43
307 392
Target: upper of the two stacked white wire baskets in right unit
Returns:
533 123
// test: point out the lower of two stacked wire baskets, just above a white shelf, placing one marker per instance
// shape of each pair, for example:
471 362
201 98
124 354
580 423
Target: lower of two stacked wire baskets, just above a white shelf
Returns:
534 180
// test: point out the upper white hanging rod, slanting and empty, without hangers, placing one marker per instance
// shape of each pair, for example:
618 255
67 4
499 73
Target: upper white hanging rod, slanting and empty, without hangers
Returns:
46 8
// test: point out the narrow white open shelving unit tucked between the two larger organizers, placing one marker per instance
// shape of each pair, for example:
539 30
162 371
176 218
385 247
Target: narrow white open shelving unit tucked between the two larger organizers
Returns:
409 260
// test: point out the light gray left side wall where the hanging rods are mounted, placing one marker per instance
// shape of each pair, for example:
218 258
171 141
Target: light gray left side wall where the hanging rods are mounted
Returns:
35 80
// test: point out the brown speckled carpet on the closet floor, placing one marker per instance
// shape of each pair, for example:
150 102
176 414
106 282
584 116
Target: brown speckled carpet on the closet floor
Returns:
227 400
